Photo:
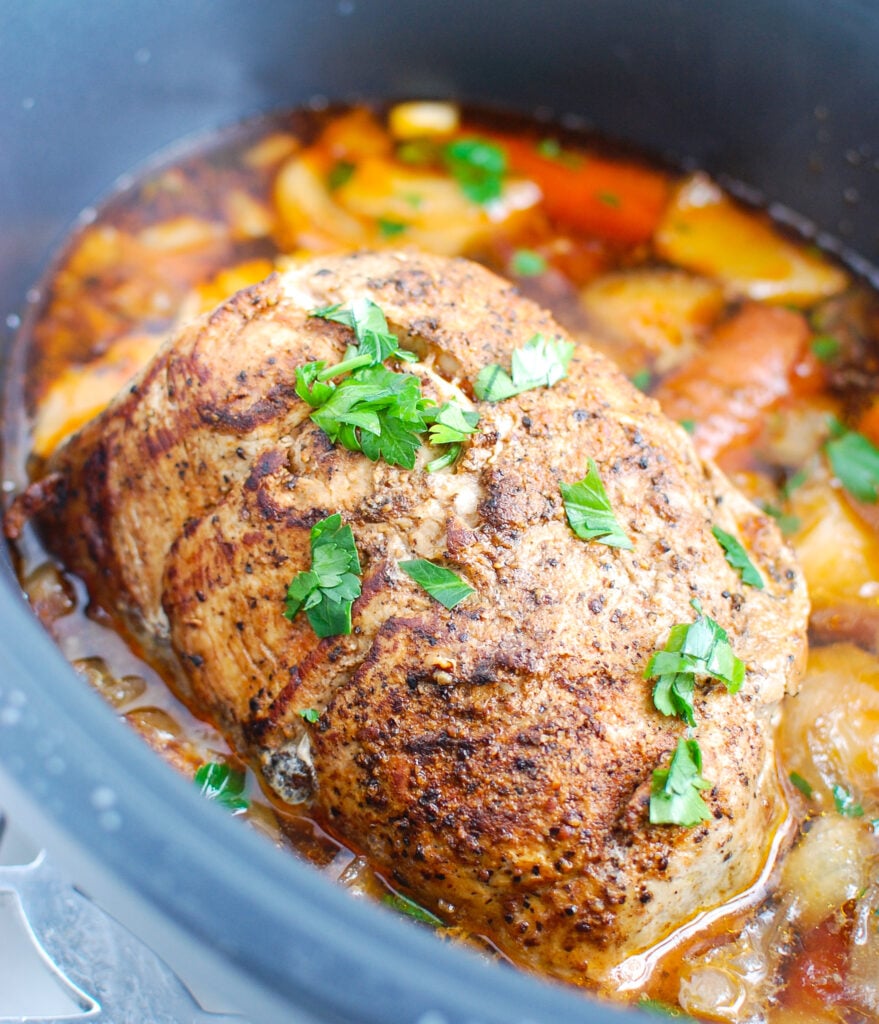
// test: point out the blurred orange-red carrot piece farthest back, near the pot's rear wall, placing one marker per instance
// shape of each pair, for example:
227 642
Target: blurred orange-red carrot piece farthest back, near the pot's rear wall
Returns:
616 200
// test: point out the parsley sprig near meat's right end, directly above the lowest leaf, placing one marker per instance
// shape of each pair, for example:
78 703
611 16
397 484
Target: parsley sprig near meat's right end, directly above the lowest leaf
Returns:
700 649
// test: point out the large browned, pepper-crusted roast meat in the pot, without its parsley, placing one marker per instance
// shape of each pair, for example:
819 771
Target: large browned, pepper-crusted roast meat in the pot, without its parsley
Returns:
495 758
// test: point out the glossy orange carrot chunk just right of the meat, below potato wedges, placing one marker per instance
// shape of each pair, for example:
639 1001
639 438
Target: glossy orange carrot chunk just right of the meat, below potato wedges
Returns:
750 364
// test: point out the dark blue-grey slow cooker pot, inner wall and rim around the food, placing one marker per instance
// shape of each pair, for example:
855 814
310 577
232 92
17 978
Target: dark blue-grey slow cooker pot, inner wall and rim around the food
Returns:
777 95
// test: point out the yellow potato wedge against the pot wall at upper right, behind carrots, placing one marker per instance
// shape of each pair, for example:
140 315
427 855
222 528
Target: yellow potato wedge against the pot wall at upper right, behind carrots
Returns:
706 232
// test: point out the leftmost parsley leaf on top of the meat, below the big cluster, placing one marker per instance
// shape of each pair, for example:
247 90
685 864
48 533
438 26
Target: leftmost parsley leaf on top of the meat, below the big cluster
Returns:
329 589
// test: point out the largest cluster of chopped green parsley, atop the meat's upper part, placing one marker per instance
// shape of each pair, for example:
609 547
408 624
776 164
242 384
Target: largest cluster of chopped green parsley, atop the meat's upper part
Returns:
374 410
